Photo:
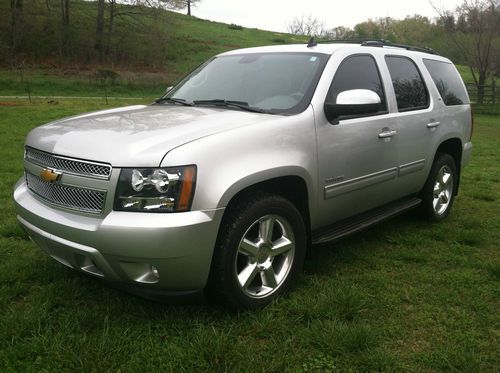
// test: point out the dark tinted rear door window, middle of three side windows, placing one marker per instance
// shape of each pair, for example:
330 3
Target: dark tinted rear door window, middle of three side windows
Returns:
410 90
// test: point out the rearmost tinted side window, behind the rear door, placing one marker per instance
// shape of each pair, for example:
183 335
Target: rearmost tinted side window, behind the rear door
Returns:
448 82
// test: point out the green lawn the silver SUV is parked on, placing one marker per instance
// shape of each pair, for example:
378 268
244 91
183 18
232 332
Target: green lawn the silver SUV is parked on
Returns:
404 296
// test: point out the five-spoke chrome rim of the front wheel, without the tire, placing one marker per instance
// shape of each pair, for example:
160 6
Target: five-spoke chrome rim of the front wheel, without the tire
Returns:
264 256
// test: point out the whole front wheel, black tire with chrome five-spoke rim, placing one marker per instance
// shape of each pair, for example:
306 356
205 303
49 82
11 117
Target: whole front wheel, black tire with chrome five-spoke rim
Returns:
259 252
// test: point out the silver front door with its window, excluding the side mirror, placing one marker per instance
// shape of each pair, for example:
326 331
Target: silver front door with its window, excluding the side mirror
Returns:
357 155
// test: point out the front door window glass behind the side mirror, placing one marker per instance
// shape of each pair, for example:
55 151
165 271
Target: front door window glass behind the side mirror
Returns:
358 72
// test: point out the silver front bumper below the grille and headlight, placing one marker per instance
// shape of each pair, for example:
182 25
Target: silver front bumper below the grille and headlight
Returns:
154 251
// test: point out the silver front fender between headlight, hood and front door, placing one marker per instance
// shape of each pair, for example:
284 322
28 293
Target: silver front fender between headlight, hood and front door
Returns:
231 161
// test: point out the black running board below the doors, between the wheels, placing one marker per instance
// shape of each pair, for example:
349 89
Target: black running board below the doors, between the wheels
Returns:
363 221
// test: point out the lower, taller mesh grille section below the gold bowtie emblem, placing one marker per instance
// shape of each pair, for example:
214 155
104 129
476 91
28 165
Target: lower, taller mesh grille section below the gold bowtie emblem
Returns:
67 196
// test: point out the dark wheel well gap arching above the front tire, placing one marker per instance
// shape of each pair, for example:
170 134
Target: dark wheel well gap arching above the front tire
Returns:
293 188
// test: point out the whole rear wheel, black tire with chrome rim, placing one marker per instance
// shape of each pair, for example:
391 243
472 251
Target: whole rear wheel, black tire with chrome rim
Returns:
439 191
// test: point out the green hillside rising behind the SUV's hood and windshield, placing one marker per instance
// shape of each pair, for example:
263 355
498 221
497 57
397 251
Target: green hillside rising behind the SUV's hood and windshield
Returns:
146 51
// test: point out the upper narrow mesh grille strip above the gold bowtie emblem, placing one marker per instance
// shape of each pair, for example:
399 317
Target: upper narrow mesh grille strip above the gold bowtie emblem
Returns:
73 166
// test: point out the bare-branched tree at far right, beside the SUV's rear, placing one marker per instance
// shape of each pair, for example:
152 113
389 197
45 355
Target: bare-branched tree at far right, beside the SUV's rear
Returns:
474 30
